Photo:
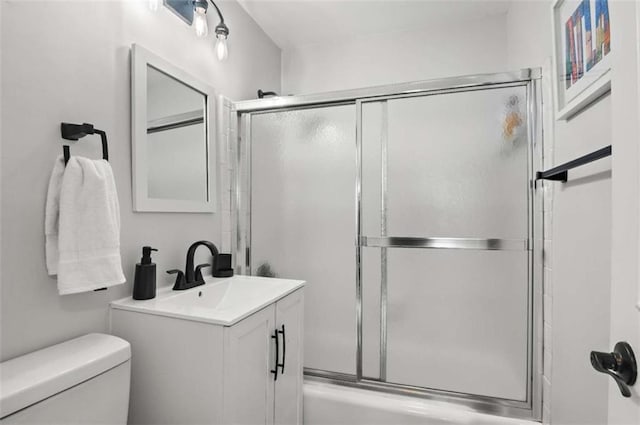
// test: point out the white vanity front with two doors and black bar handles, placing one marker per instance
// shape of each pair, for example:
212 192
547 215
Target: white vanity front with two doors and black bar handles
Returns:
257 390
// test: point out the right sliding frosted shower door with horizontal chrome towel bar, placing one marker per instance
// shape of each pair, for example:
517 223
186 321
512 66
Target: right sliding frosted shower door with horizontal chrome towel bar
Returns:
445 229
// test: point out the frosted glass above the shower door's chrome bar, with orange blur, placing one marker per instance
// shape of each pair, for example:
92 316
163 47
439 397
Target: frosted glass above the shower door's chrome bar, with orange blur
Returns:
456 164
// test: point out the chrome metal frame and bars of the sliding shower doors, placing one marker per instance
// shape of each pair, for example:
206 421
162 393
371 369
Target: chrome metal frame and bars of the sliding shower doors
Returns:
531 408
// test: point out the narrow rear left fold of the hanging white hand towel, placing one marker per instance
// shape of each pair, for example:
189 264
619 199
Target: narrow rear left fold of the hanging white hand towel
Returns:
51 216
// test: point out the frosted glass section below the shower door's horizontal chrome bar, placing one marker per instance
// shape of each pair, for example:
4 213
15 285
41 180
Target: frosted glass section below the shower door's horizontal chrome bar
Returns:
457 321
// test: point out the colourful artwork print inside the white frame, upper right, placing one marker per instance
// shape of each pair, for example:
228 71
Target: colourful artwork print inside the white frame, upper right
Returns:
583 48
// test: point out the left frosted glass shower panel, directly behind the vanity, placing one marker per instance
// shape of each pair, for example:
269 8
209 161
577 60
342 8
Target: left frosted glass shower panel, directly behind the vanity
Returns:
303 221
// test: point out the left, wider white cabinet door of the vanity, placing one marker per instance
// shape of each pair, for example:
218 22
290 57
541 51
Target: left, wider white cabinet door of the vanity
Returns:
249 359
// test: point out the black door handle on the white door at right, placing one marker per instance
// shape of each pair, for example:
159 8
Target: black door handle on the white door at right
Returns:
620 365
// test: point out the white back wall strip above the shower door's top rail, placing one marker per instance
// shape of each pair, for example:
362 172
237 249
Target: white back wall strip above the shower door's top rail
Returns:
459 48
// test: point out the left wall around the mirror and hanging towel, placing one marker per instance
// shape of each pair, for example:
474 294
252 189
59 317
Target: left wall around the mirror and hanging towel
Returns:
70 61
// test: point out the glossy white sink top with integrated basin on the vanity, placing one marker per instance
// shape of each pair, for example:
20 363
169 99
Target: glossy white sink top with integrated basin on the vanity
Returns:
222 301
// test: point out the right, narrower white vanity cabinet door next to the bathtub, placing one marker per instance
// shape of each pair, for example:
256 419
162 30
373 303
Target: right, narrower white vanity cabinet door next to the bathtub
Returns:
288 394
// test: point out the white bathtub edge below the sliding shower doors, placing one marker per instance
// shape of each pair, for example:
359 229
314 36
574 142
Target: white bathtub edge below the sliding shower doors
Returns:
329 404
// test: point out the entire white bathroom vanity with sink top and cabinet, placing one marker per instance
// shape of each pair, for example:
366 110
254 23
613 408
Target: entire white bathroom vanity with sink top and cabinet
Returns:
229 351
